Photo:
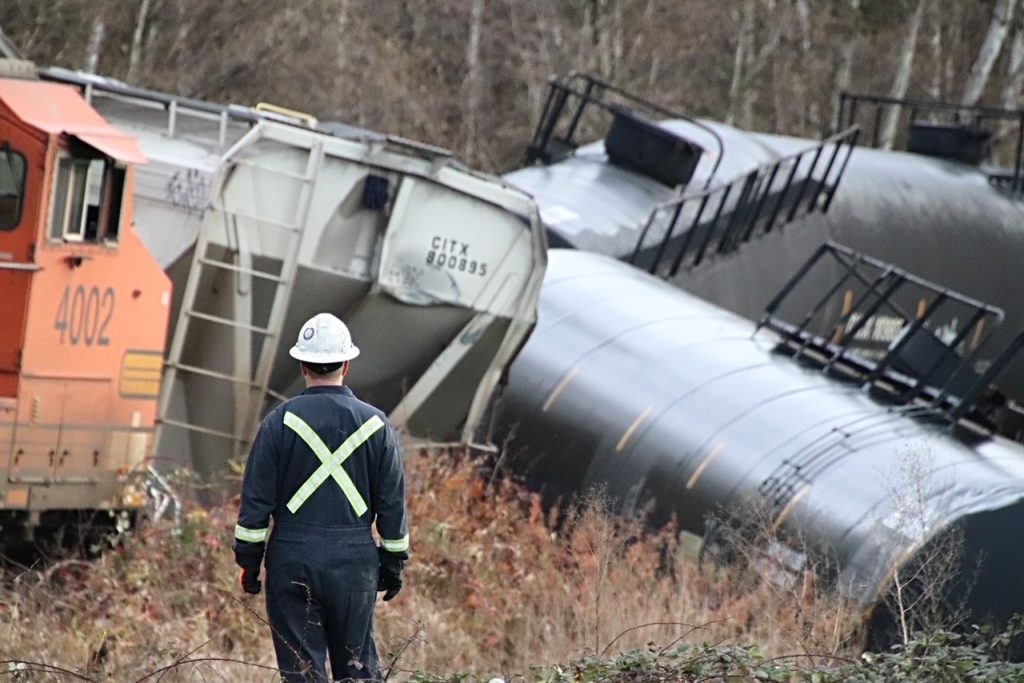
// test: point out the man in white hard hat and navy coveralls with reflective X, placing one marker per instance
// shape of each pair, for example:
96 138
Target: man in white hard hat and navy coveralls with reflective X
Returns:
326 466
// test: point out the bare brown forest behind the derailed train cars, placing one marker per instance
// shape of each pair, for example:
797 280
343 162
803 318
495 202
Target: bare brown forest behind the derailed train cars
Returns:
471 75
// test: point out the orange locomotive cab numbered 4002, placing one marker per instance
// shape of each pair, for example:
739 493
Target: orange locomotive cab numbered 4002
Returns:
84 312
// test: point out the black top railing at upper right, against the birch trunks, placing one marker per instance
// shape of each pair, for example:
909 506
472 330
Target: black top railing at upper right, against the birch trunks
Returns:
972 135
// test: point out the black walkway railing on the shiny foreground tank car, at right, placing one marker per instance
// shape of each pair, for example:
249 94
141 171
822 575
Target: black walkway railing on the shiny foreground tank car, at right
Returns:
904 338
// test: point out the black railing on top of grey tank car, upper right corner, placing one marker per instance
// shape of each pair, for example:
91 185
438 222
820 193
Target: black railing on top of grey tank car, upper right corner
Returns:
976 115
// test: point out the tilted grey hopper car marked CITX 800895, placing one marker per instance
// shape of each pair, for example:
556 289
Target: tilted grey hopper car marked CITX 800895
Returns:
265 218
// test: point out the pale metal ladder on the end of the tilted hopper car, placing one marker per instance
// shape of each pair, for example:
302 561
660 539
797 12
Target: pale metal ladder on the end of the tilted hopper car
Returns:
239 331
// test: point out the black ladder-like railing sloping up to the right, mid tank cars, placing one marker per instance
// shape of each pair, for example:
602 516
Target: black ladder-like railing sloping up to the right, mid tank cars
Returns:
681 234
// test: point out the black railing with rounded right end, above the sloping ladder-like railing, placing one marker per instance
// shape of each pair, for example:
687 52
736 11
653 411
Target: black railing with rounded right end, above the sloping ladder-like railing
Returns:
567 117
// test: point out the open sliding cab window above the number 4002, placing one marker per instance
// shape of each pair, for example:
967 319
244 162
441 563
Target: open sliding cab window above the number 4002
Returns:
88 197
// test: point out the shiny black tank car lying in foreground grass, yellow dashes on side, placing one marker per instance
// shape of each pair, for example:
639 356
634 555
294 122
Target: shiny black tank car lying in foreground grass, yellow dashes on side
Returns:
678 409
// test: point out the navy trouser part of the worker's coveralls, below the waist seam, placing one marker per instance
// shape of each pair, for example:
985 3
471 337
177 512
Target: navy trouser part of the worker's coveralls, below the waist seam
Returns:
323 577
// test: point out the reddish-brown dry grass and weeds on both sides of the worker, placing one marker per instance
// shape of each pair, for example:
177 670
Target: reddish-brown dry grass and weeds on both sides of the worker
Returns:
492 590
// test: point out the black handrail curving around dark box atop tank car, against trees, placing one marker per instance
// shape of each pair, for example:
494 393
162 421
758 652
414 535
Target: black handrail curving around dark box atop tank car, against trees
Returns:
593 92
